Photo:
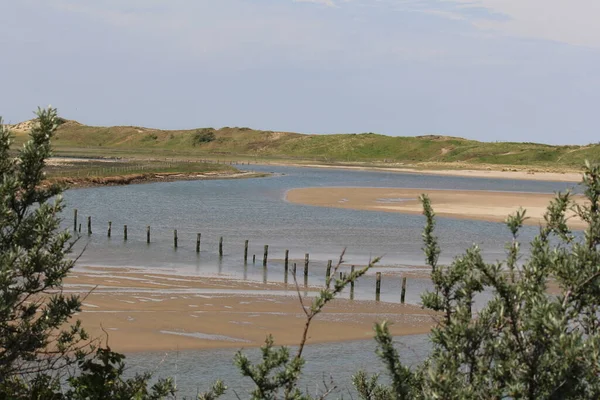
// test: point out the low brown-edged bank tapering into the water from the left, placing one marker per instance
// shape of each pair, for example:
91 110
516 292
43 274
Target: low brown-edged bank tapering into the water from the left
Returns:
138 179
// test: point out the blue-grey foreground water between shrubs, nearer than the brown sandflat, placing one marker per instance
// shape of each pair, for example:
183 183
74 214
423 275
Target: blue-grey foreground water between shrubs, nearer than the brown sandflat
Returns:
197 370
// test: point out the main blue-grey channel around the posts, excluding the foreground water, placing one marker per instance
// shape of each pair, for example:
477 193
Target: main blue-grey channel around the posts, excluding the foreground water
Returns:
255 209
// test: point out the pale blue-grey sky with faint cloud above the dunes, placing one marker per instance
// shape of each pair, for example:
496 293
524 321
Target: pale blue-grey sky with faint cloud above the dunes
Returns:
491 70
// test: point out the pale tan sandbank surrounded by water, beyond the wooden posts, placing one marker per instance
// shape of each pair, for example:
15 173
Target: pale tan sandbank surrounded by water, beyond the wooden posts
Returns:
477 205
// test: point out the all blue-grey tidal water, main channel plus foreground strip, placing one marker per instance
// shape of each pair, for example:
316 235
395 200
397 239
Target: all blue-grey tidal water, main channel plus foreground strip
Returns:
256 210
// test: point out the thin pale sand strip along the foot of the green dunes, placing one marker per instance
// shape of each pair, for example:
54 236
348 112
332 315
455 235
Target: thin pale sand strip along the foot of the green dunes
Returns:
574 177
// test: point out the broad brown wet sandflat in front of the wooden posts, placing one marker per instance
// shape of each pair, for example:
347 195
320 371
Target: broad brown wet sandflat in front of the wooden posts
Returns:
145 311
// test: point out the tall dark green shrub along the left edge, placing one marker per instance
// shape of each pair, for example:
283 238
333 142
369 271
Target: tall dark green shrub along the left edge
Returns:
38 344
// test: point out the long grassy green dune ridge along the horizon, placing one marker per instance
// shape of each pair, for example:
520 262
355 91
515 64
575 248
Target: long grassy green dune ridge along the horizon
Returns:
366 147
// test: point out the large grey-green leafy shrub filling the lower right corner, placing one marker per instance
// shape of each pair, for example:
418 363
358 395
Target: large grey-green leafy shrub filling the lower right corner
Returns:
525 343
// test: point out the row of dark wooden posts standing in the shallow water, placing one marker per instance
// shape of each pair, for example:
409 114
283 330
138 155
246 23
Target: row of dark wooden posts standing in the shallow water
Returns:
264 261
